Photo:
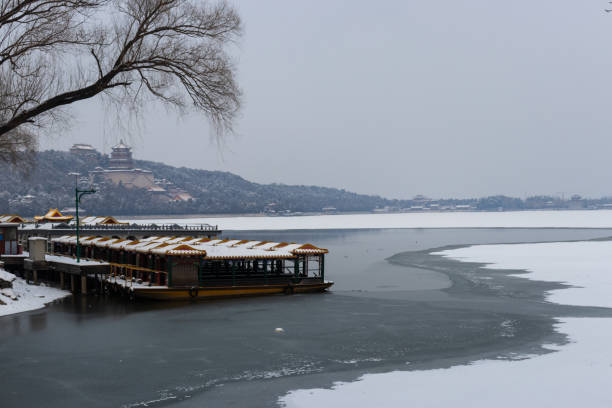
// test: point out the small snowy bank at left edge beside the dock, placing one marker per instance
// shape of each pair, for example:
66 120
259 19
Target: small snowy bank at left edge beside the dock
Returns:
23 297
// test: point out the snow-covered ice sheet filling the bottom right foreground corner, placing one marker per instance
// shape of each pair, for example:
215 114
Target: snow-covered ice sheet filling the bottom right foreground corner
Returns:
577 376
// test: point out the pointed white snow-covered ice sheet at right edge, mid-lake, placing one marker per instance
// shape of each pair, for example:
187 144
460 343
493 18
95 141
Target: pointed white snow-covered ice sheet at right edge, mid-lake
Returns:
586 265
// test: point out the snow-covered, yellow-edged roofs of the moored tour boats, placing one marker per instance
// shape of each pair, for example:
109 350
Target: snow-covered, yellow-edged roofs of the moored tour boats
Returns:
208 248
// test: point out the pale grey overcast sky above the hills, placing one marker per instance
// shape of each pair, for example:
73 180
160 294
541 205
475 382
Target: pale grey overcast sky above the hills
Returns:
443 98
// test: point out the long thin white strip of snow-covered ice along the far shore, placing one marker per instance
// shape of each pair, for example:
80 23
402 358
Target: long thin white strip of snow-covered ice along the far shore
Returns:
517 219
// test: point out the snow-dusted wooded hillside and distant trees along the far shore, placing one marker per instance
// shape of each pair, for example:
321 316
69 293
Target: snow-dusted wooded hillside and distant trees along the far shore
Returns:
48 185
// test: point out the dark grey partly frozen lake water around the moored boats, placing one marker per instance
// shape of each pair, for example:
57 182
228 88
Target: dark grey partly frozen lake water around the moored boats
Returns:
415 311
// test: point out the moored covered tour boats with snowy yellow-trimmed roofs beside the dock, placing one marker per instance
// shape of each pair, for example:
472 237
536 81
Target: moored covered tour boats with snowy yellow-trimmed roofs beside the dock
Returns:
167 268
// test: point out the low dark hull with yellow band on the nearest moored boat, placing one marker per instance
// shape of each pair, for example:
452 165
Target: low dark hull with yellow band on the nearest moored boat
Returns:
228 291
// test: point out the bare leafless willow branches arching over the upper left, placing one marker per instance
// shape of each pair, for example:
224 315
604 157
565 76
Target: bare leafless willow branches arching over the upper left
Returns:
57 52
